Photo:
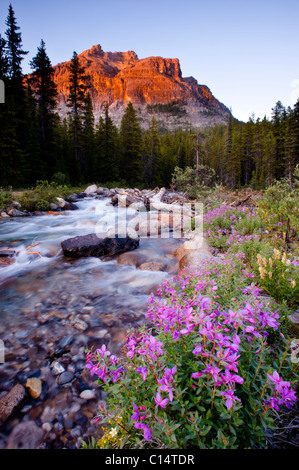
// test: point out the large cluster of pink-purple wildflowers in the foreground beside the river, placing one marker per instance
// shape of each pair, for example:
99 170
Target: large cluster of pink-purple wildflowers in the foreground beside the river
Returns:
187 315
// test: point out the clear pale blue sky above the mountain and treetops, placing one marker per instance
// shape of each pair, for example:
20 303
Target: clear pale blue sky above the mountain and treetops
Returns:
246 52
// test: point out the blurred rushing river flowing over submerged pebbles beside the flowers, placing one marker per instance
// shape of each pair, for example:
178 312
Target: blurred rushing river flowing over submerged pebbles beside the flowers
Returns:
53 307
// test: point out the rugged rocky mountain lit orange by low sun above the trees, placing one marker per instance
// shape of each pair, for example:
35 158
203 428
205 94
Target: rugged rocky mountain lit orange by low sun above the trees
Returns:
154 85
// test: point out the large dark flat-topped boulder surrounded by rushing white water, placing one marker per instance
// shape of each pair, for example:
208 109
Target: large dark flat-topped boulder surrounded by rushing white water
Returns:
92 245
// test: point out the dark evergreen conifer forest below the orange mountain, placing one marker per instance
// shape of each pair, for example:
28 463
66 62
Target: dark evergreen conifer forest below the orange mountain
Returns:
37 144
